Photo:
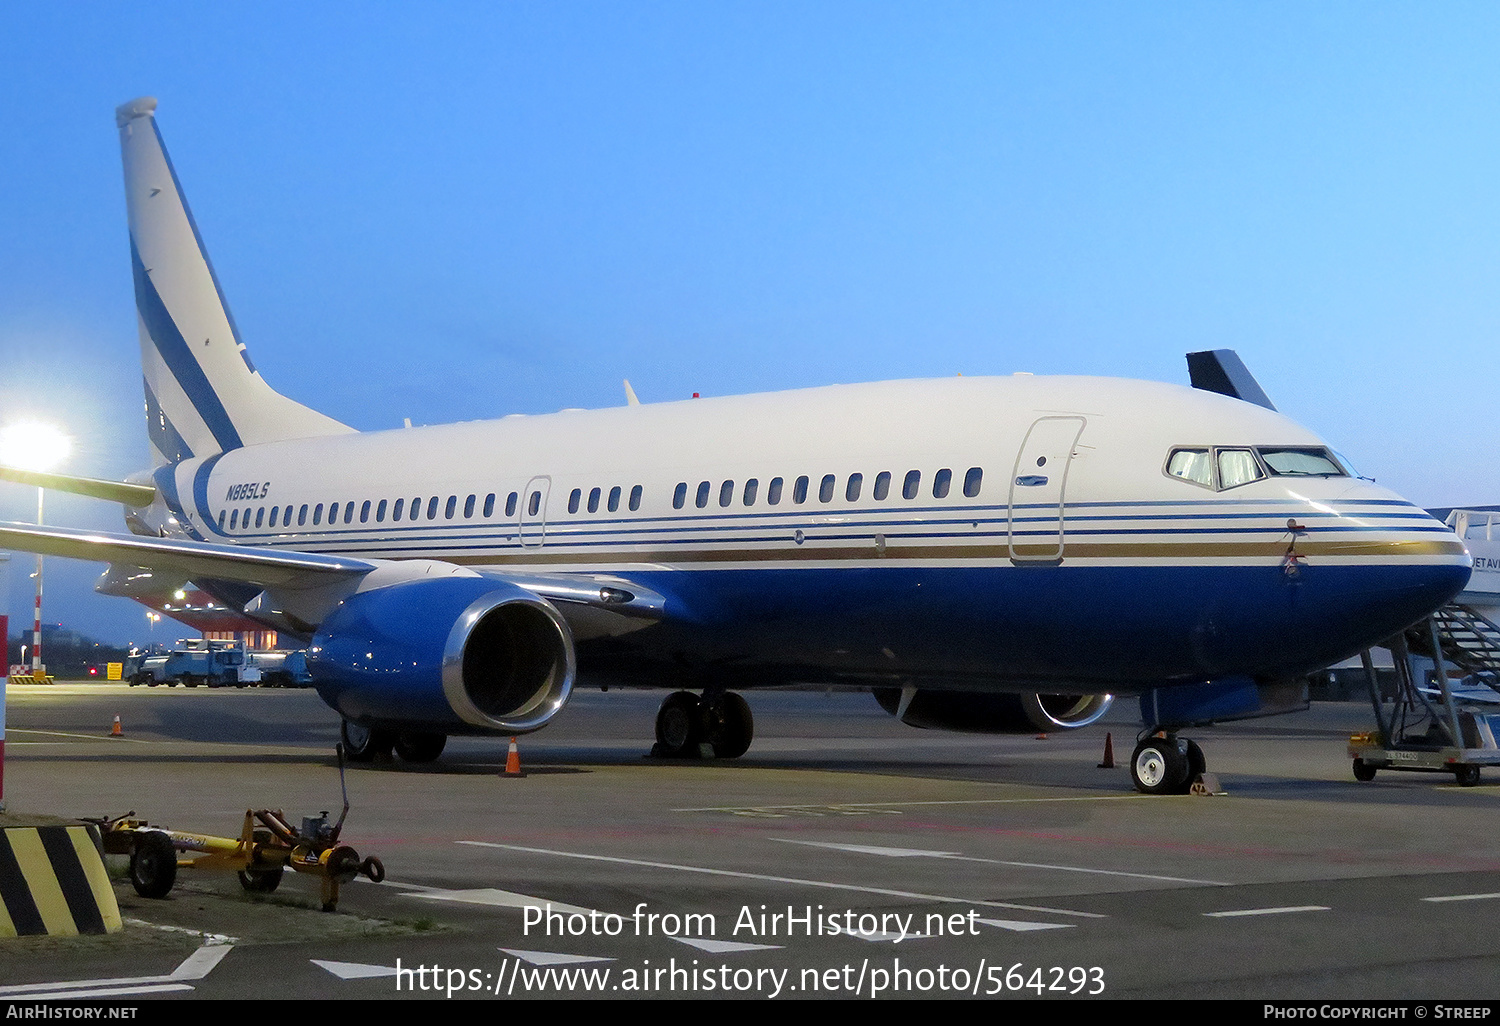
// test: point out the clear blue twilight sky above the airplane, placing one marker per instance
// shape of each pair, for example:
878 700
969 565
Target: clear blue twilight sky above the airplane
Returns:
458 211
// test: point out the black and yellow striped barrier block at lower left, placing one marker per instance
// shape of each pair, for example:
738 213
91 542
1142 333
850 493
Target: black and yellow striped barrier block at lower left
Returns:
53 883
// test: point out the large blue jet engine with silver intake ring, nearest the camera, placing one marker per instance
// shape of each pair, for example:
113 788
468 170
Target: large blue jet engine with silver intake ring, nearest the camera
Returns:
461 655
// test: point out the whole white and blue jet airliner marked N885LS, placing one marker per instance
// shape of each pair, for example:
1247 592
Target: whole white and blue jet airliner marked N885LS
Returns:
985 554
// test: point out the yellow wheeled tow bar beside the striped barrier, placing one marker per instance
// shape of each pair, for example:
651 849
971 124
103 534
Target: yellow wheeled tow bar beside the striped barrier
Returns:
266 847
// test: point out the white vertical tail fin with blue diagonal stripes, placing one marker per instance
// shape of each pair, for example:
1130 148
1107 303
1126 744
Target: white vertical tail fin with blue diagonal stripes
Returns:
203 395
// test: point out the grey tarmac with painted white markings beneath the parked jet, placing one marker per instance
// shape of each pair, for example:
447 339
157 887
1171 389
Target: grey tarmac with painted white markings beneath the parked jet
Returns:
845 856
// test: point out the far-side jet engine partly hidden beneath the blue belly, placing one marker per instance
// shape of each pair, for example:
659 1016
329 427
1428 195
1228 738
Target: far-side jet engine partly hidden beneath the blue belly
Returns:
989 713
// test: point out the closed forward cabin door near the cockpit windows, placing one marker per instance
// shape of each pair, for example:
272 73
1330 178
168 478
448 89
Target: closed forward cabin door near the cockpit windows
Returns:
1037 490
